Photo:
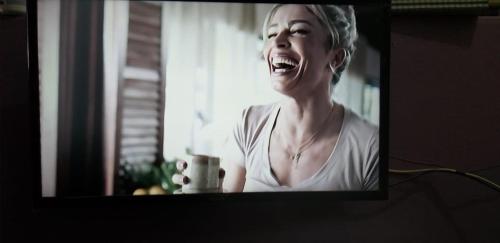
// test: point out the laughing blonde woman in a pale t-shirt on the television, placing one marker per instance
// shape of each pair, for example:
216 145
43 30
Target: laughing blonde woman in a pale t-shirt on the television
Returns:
305 142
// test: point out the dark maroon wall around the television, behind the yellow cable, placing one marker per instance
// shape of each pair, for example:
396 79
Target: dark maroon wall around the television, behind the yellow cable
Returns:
444 108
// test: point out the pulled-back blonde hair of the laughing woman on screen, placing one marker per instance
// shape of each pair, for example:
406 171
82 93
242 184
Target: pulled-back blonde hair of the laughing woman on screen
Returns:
339 21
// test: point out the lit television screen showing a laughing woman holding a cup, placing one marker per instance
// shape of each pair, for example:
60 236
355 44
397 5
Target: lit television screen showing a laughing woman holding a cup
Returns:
175 98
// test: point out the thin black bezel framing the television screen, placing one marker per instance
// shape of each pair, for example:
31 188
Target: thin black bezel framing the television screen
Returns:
291 198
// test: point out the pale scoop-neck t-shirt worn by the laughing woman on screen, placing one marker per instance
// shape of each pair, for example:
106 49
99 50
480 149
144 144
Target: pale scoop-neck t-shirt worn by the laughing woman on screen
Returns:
351 166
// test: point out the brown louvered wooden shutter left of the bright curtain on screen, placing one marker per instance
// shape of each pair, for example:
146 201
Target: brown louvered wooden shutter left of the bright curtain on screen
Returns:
141 95
